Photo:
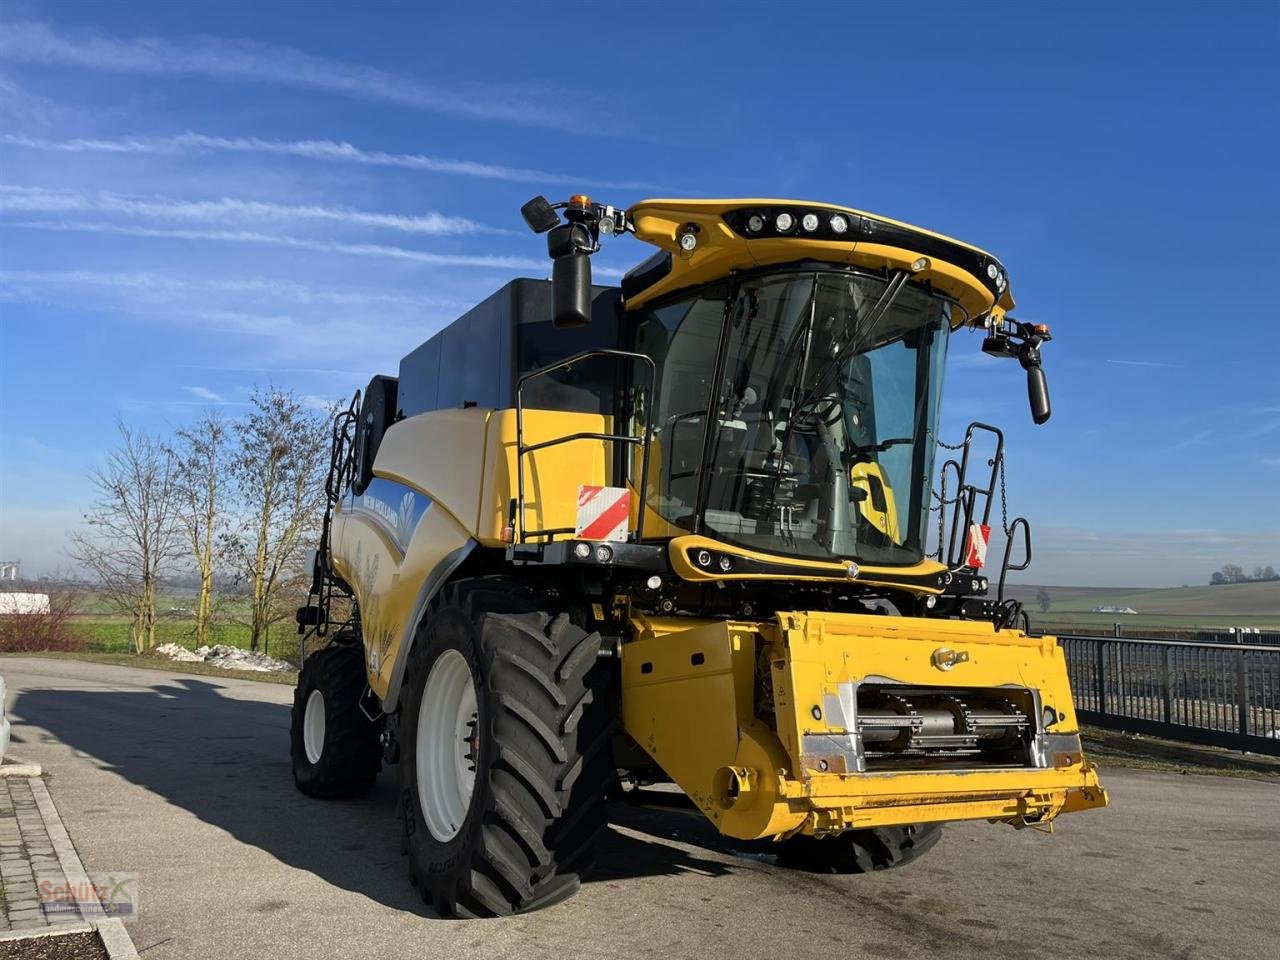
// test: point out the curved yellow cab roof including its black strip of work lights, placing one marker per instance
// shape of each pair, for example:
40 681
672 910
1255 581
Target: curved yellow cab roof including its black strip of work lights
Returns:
711 239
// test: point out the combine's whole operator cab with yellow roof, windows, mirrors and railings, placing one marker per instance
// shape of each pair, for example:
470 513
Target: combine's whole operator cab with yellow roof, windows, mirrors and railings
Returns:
779 420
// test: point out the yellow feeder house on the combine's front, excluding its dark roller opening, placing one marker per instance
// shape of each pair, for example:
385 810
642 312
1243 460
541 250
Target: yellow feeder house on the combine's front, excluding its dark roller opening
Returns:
689 700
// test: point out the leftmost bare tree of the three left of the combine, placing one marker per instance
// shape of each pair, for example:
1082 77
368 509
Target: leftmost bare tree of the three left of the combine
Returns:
132 533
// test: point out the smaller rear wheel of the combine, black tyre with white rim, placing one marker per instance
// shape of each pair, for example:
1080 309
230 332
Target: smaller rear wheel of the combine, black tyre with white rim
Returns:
333 744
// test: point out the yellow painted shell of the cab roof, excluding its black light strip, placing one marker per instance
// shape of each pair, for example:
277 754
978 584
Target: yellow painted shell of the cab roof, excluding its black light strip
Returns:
720 250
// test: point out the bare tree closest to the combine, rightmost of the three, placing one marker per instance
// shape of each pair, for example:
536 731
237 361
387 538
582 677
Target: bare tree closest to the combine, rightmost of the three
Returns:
278 469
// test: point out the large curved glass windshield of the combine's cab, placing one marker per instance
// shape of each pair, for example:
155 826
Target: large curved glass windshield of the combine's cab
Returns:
824 394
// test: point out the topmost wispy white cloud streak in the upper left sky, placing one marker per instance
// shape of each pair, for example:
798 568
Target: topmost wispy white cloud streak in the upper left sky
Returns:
250 62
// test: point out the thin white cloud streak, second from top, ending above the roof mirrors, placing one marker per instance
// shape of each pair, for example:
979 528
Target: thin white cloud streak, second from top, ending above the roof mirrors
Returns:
322 150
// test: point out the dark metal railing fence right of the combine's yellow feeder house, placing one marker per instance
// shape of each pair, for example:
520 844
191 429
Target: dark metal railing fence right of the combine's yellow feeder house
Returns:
1220 694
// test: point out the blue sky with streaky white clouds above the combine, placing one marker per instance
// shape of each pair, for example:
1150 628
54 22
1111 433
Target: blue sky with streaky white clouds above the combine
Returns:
199 199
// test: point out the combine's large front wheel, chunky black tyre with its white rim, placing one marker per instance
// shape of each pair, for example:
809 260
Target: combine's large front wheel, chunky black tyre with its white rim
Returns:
505 724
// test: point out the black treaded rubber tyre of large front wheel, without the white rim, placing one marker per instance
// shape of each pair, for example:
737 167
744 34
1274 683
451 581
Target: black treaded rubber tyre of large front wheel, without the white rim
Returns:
552 719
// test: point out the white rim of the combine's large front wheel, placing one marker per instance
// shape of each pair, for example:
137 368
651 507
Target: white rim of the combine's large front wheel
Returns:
449 746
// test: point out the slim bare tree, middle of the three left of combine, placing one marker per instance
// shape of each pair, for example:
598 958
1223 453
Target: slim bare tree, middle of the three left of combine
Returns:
200 458
